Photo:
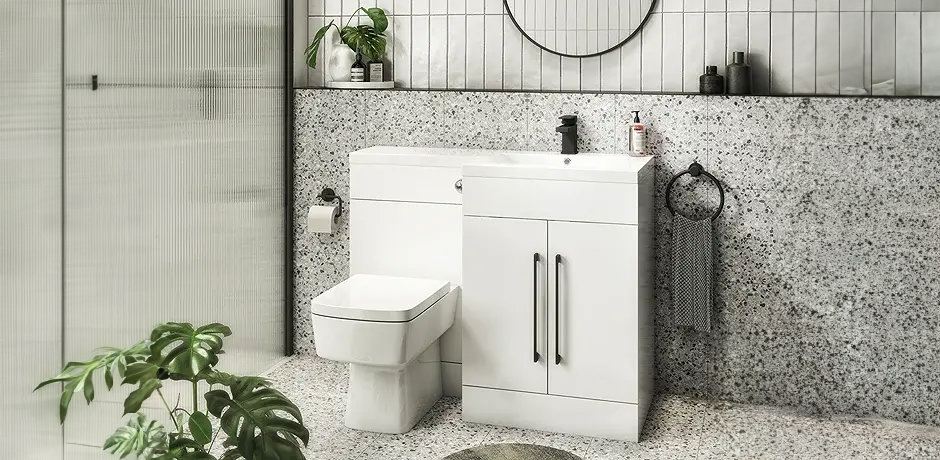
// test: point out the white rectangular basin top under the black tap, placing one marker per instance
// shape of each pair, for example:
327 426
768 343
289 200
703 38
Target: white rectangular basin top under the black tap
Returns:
587 167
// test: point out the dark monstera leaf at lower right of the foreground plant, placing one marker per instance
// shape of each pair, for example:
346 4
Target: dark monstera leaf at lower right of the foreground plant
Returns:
255 418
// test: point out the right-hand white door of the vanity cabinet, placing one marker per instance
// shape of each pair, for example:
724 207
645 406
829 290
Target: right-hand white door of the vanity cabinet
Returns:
593 319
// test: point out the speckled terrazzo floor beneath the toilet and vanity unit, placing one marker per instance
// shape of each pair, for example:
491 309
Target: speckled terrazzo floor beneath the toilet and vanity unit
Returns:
677 428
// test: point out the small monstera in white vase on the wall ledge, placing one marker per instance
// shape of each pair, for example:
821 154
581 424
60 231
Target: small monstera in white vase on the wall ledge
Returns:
363 39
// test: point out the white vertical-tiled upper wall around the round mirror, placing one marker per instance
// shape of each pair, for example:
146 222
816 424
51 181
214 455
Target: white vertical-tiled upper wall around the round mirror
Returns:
878 47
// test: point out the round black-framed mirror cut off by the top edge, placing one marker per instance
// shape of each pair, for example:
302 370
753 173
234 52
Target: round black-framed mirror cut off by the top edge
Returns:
579 28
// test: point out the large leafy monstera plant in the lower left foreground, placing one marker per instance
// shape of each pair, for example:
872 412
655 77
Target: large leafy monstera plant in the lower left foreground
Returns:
258 422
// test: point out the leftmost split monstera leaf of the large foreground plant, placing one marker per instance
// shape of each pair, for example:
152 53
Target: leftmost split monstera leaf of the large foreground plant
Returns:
78 376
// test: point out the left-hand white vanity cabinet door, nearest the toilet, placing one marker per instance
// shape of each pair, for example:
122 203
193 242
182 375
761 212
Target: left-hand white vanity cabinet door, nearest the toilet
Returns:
504 293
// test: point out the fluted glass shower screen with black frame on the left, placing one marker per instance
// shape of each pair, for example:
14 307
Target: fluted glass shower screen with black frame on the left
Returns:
143 178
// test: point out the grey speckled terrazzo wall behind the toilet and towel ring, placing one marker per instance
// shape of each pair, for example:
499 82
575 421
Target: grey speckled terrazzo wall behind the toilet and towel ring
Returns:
827 254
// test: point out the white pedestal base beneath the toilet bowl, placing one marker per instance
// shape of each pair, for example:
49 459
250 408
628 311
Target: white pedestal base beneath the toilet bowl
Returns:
392 399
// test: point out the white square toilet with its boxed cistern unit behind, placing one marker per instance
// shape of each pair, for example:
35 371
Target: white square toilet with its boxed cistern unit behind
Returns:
392 319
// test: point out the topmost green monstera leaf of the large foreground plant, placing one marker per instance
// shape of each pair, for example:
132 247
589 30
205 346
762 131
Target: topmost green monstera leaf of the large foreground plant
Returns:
181 349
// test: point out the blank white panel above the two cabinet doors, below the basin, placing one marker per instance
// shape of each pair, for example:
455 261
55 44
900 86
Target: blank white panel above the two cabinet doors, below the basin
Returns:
605 202
